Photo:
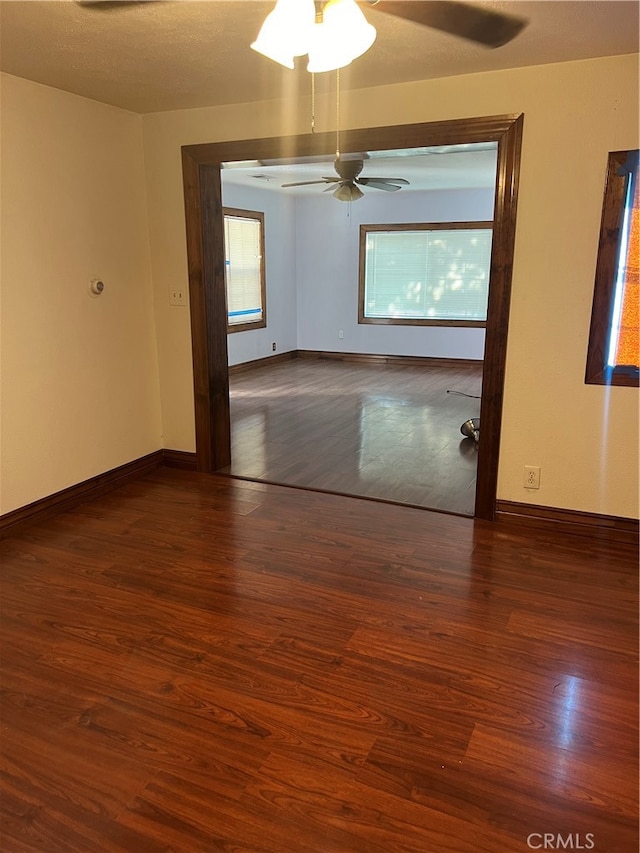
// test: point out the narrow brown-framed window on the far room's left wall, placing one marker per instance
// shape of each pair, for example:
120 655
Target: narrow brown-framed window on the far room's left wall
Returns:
244 269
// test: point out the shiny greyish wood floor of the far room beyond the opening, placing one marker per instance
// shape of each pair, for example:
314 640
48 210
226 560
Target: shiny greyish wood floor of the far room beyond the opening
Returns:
379 431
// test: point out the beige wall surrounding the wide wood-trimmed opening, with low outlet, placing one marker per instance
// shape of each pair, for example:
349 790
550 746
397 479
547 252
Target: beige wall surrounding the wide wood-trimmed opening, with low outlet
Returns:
585 438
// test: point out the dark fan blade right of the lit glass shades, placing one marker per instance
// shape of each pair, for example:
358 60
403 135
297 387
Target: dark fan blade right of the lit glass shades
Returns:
484 26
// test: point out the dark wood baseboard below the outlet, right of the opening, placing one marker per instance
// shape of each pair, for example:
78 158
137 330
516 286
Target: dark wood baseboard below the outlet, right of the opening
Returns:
568 521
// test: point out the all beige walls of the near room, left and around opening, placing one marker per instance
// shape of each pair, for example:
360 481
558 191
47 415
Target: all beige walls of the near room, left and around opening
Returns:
80 375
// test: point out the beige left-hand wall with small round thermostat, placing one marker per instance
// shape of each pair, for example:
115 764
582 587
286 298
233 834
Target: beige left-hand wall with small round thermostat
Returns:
79 387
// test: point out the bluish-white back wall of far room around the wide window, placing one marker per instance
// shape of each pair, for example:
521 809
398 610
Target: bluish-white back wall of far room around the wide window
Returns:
327 252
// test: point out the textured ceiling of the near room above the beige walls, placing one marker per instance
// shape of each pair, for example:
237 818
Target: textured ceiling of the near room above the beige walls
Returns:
194 53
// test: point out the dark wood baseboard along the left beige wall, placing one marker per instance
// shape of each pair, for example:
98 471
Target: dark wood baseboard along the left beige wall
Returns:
16 520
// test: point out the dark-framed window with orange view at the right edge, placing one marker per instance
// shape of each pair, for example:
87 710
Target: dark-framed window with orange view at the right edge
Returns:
612 356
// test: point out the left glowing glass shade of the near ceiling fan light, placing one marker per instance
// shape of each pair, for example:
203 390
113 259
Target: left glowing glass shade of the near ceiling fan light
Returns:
287 31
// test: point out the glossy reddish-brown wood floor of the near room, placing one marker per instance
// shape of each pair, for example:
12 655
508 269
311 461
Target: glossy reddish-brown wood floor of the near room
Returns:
195 663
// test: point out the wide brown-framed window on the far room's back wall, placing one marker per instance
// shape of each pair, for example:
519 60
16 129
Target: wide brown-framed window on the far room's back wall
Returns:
425 274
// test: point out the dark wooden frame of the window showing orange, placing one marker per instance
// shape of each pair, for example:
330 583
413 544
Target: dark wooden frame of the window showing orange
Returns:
597 372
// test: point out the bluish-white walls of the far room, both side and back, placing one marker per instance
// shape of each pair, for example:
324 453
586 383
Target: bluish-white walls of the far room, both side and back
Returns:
312 249
